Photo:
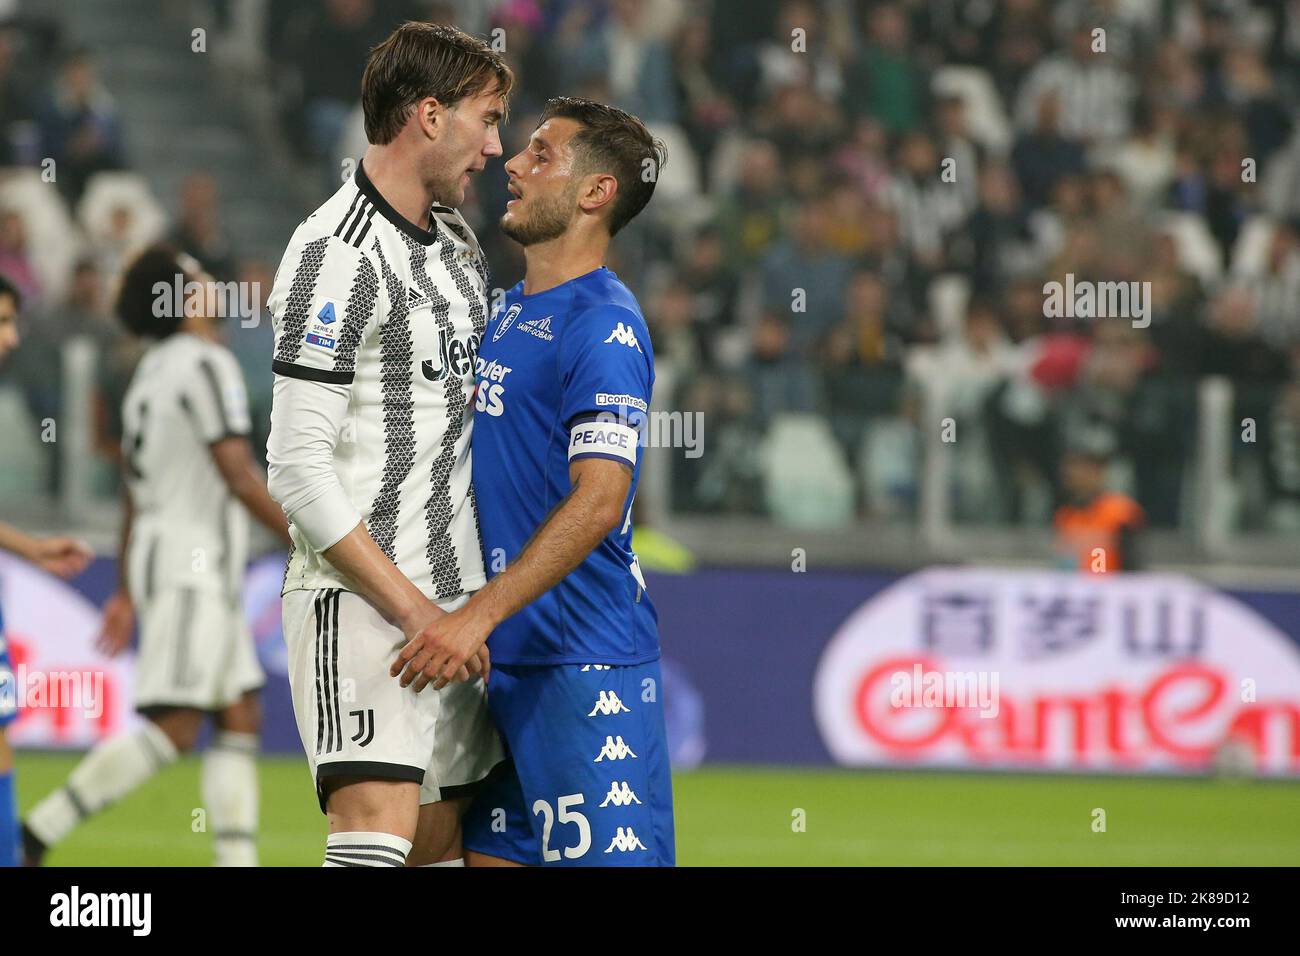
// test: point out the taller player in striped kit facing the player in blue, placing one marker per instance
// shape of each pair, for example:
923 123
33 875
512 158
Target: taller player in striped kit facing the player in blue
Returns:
380 305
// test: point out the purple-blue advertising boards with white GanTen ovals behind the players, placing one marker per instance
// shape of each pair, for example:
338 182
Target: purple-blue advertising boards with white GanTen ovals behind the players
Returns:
964 668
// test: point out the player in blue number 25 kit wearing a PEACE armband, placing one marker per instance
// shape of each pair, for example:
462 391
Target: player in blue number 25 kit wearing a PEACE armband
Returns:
565 378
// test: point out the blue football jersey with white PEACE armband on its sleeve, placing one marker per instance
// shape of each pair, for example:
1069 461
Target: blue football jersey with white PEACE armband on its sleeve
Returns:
565 375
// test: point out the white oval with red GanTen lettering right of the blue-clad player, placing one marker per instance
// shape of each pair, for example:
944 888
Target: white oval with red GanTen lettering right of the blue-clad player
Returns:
1160 674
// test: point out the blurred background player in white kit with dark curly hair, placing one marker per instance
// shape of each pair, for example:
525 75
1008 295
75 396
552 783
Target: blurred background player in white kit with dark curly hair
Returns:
192 483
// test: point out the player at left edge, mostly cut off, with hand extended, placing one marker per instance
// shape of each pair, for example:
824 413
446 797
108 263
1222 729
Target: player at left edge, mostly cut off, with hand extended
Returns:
60 556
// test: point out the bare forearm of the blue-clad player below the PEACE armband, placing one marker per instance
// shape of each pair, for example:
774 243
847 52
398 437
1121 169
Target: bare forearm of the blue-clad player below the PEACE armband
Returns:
564 542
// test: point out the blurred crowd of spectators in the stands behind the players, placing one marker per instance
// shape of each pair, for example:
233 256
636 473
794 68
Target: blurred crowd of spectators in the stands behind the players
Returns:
812 280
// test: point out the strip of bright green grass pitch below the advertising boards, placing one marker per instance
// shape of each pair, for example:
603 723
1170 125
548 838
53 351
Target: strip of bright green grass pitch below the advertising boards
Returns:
748 817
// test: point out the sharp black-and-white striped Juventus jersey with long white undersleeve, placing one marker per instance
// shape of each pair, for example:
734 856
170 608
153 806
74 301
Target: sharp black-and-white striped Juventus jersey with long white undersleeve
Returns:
378 327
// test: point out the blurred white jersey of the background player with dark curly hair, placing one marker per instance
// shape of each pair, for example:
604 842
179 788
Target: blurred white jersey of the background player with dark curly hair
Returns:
188 531
